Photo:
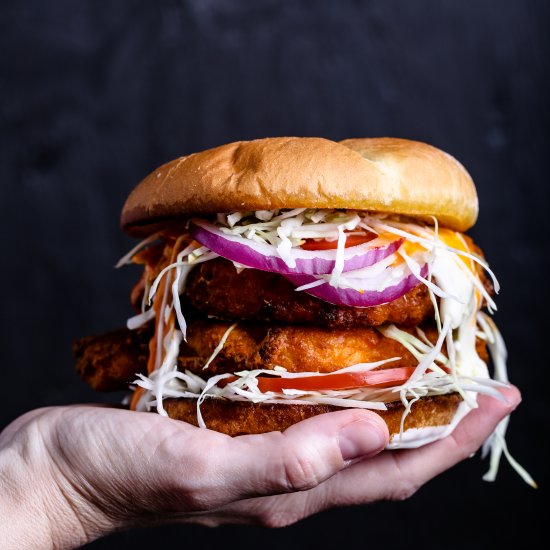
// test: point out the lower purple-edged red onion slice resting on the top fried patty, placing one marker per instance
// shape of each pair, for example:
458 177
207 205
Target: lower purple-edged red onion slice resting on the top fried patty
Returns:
355 298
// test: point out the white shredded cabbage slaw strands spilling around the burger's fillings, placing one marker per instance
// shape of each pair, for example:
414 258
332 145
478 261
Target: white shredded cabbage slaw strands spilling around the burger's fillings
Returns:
286 229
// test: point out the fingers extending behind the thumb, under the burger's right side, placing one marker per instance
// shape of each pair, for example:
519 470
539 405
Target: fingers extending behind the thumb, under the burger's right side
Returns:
389 475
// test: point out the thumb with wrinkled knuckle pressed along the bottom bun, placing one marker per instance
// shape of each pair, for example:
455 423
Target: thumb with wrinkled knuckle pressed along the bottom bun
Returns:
303 456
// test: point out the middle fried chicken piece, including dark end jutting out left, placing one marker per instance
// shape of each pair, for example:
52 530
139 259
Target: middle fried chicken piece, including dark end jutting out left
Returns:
112 361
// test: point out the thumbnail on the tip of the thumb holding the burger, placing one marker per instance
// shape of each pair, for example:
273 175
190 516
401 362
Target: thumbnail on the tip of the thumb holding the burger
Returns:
361 439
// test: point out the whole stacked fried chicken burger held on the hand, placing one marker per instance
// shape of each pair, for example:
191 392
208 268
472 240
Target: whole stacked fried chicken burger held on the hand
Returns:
290 277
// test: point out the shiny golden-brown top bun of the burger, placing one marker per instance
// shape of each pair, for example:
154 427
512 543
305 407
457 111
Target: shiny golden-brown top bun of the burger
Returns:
376 174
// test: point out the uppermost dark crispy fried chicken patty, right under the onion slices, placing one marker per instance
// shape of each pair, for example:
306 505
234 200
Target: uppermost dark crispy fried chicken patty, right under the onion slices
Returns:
216 288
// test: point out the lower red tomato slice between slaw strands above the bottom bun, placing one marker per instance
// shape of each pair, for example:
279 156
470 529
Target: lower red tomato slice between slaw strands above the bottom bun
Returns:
384 378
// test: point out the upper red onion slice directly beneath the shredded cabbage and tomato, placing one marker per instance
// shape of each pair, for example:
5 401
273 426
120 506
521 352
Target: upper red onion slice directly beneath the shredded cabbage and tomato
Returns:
311 262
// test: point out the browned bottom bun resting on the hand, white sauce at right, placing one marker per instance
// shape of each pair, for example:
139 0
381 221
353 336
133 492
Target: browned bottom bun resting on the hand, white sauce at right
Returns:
430 418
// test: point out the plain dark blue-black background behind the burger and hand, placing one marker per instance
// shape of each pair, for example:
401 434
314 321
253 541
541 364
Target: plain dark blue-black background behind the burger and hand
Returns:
95 94
